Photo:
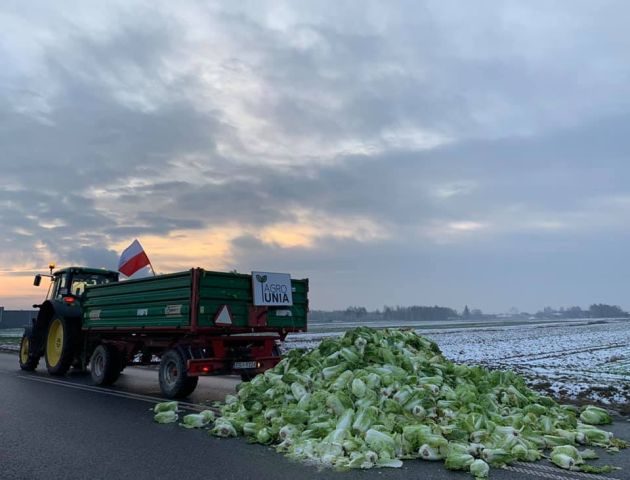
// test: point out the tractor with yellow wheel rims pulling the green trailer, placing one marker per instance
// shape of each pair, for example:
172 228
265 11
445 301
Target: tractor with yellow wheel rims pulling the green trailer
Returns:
56 332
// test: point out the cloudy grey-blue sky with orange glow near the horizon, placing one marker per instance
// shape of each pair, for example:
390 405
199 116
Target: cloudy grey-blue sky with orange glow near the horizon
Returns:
395 153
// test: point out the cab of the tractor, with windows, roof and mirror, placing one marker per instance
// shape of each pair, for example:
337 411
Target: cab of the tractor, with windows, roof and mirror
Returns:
72 281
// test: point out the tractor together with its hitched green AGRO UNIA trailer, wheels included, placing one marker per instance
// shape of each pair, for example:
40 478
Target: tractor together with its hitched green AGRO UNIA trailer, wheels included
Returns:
193 323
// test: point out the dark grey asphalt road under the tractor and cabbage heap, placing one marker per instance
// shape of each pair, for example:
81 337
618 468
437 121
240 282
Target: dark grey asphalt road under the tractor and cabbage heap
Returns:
67 429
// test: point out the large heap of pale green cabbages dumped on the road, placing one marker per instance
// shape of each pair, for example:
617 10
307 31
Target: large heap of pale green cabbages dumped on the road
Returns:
373 398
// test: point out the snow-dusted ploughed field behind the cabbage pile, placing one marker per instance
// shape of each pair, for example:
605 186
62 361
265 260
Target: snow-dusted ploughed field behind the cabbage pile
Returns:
581 361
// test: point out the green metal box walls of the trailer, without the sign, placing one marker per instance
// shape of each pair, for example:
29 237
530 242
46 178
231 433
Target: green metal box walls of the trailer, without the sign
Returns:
168 301
